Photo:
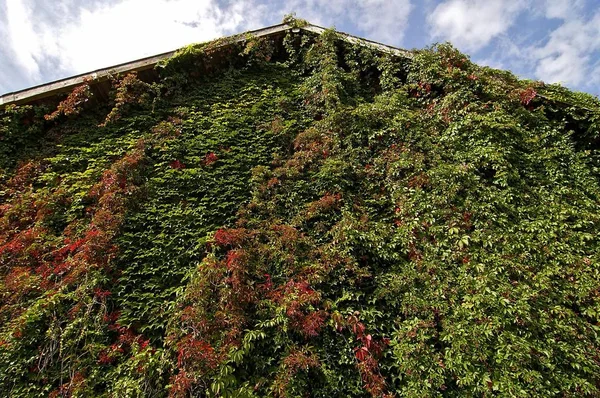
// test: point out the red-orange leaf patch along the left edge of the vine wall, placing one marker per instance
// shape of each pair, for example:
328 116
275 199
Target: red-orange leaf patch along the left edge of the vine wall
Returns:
37 261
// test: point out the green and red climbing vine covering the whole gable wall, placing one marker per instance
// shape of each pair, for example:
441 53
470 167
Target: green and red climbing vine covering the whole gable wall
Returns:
302 218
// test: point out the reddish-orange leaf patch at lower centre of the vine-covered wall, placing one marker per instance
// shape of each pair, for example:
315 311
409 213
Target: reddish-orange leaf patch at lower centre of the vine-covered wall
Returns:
234 285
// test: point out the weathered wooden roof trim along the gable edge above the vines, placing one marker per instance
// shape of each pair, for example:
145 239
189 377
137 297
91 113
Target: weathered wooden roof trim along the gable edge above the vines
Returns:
63 85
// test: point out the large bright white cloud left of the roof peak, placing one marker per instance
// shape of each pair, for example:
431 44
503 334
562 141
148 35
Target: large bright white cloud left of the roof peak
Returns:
75 37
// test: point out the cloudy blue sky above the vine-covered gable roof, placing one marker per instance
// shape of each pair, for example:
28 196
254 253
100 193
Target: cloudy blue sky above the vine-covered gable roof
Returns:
557 41
